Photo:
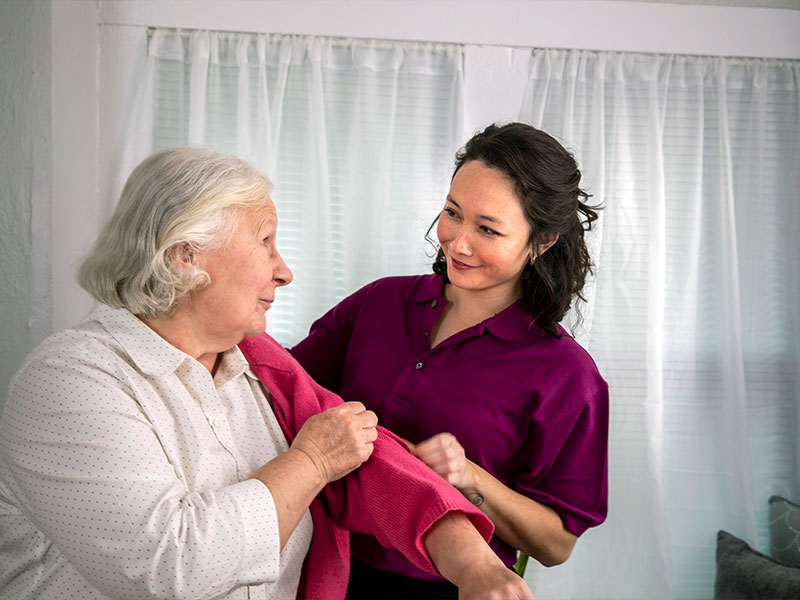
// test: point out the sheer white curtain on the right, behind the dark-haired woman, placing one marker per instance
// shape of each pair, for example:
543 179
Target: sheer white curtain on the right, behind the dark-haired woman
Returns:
693 316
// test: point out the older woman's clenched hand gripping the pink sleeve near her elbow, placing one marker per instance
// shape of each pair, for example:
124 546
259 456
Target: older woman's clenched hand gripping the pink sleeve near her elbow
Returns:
338 440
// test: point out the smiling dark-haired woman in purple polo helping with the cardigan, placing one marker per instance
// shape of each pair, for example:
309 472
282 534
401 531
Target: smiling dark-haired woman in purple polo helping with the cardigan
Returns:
471 366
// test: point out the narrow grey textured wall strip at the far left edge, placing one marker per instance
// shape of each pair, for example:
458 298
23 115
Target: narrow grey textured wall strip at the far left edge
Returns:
25 181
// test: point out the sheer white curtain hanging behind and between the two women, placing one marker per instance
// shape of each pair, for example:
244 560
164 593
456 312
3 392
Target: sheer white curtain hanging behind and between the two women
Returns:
358 137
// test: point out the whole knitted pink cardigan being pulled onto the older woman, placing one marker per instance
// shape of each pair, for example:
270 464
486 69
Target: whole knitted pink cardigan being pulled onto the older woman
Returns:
392 496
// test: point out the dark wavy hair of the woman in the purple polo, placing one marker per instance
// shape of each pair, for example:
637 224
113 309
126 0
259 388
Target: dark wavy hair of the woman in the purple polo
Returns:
546 178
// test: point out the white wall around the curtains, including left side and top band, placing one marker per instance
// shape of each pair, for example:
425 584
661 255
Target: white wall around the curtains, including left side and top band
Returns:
92 87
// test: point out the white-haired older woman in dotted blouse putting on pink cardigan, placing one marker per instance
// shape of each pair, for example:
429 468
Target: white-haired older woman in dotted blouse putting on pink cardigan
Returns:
141 457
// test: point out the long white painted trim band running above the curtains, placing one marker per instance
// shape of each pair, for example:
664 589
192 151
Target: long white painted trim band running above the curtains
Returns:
588 24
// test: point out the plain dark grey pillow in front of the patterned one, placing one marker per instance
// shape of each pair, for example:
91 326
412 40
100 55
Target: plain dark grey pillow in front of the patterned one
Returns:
743 573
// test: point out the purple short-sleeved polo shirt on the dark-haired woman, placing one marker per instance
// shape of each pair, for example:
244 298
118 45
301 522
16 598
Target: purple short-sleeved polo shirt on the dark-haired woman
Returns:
530 409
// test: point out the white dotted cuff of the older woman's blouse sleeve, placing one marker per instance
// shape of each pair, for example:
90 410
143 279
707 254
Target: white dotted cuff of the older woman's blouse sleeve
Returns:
261 556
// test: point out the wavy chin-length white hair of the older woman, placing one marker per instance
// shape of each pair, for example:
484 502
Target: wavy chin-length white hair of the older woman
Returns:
175 200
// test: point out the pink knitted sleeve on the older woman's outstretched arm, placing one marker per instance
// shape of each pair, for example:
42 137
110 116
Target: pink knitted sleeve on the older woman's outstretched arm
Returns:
393 495
